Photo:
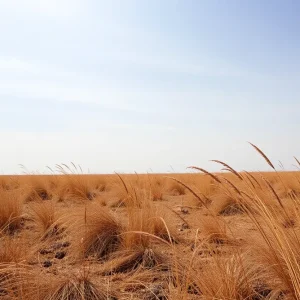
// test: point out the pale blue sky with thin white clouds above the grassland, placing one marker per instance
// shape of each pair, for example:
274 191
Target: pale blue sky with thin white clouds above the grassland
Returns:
148 86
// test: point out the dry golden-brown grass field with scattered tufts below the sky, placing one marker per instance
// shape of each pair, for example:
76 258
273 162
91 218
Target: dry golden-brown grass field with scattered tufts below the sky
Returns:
176 236
